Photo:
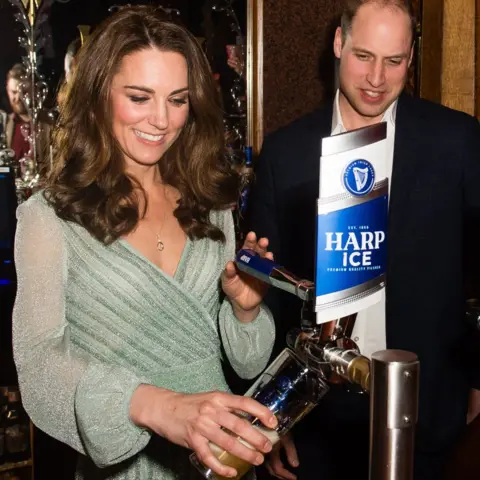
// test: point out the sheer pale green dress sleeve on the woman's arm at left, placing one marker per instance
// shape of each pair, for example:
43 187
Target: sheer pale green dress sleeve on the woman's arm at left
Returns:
75 399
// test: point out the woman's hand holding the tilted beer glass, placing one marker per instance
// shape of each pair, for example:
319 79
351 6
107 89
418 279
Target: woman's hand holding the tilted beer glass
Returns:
193 420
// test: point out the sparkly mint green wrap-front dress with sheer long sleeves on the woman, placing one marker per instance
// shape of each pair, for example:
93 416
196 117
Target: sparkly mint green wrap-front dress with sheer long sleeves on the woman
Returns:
92 322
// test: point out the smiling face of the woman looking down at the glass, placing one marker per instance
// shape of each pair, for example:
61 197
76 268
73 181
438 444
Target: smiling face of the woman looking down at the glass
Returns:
150 104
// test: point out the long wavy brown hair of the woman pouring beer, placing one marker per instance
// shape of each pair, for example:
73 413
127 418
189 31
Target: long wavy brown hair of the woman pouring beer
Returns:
88 184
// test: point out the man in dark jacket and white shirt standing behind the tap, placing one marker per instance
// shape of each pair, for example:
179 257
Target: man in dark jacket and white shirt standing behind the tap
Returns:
433 157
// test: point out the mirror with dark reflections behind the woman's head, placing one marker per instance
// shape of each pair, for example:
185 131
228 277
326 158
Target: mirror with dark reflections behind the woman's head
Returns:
39 40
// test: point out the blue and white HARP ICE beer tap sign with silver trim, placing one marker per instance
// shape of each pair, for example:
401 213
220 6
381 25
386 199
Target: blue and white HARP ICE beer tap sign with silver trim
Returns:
352 219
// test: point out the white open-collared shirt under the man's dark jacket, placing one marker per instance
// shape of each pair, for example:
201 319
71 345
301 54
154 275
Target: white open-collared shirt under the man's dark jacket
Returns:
369 331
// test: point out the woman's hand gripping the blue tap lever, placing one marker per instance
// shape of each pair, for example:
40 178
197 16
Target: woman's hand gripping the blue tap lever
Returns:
245 292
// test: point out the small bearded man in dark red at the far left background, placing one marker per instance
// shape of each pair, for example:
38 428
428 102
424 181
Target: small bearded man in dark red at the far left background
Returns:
15 126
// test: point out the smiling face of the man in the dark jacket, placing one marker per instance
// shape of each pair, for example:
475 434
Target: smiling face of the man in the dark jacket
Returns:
374 61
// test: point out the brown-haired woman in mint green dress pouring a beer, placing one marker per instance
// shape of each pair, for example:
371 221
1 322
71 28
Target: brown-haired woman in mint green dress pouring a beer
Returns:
118 322
